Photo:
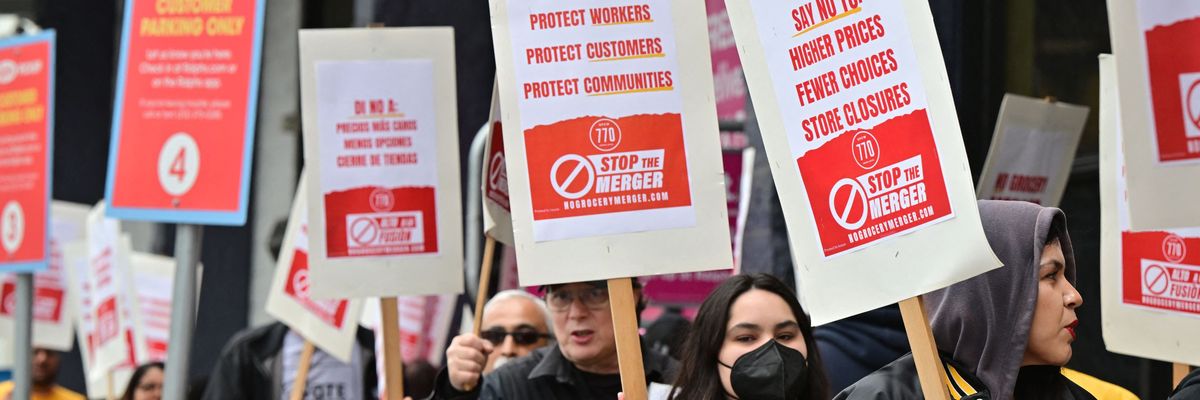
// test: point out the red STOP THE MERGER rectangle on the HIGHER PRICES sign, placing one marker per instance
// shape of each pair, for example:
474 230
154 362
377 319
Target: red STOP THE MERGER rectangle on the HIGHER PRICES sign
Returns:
868 186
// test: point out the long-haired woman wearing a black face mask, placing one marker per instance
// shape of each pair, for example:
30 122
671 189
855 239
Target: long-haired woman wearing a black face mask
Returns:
752 341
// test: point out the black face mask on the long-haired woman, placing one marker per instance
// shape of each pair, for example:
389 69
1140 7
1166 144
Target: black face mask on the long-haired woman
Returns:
772 372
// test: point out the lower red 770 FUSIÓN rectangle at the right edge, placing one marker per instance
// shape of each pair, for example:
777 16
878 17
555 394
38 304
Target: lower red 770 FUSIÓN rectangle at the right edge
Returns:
1161 271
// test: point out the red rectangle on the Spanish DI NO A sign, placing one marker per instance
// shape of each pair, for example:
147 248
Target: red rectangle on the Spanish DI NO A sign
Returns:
371 222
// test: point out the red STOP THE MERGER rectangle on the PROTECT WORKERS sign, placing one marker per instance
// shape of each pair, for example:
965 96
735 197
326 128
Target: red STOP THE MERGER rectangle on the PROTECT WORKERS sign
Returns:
596 165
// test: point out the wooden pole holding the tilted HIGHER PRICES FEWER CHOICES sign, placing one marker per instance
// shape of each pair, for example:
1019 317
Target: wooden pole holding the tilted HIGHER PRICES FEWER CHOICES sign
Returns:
925 349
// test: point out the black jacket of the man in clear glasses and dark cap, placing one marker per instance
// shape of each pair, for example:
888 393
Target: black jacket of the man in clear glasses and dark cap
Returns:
547 375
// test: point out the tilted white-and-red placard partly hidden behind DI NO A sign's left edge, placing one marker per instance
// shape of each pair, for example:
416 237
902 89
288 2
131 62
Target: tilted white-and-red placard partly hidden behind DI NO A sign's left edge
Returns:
331 325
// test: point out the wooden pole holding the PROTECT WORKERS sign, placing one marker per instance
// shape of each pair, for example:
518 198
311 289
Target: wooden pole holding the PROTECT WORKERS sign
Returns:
629 344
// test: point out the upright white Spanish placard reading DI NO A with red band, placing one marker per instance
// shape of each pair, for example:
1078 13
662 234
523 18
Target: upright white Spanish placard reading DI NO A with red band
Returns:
381 144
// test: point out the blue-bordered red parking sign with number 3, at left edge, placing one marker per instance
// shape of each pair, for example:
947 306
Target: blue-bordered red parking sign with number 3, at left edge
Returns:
27 129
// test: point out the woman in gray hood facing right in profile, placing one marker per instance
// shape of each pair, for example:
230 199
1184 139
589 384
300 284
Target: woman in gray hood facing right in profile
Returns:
1006 333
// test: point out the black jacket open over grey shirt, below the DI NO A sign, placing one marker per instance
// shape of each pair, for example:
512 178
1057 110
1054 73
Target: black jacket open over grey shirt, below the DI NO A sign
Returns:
250 367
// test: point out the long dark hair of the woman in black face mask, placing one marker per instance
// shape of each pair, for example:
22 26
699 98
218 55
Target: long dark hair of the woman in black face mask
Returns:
698 378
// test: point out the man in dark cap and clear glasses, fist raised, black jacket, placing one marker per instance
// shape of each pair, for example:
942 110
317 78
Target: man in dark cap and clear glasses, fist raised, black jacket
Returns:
581 366
